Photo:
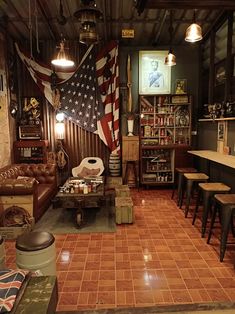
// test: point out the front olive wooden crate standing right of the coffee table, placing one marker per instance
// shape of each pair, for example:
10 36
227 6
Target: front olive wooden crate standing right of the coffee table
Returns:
124 209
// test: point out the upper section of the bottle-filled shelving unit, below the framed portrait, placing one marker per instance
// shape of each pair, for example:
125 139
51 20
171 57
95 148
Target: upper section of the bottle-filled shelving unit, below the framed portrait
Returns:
166 118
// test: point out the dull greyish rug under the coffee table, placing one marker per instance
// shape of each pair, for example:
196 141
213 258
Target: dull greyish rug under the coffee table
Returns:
61 221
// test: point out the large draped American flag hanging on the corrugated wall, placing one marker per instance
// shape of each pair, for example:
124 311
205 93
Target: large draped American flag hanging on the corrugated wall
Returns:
90 95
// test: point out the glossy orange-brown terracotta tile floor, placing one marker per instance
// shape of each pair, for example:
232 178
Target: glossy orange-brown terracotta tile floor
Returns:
160 259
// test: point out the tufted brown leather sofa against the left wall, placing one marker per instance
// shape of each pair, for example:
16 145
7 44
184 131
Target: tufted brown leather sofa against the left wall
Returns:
29 186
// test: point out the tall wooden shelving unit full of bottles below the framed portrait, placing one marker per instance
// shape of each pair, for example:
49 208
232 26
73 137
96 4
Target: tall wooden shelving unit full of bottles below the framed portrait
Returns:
165 127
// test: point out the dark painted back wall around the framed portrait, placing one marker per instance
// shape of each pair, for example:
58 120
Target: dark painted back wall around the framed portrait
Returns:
187 58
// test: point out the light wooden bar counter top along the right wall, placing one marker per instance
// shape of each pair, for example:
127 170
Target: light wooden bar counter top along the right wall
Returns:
226 160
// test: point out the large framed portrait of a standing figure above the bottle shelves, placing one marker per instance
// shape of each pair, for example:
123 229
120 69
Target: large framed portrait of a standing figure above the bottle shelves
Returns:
154 75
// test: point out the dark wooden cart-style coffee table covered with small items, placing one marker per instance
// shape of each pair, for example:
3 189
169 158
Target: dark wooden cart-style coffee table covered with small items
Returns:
65 199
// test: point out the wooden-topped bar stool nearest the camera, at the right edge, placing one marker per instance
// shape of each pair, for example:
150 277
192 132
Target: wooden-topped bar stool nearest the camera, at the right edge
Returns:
225 206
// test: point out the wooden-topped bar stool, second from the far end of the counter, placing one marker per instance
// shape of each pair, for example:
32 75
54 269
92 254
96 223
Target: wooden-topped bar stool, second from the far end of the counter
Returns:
191 179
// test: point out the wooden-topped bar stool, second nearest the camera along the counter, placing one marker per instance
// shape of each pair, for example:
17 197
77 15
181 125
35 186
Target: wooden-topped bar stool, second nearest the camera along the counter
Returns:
207 191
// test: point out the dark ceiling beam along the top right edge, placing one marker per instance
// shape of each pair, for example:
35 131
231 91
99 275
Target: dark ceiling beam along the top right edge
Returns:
189 4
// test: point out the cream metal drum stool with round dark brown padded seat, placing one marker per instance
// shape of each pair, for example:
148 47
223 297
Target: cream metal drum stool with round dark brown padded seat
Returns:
36 251
